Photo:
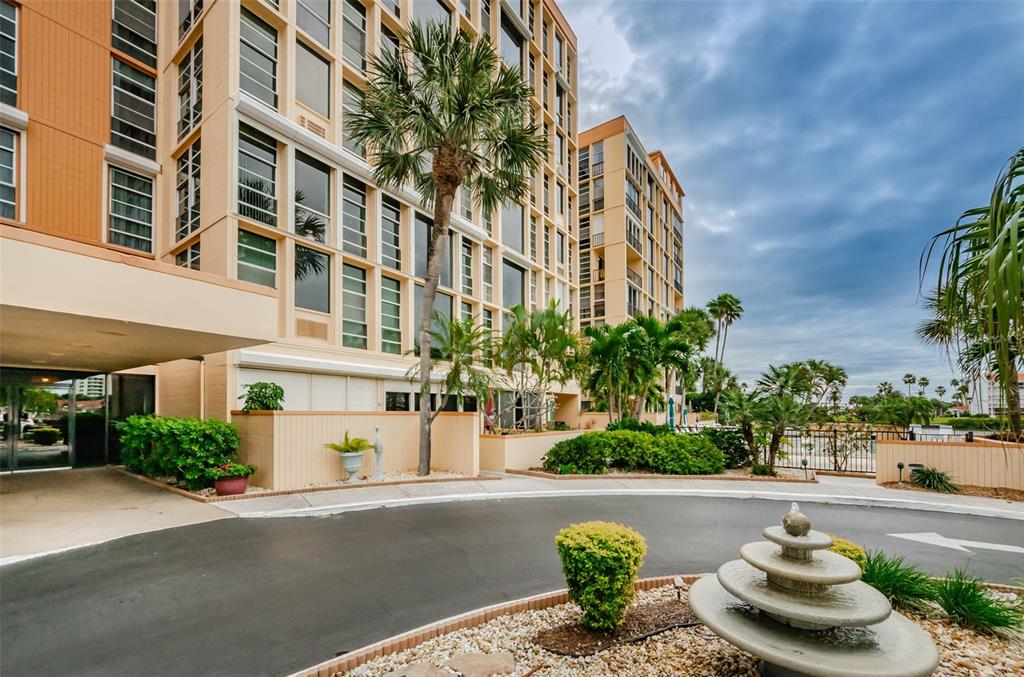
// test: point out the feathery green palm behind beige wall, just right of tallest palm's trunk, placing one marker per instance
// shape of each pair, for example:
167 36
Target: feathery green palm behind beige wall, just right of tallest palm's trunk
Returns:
457 347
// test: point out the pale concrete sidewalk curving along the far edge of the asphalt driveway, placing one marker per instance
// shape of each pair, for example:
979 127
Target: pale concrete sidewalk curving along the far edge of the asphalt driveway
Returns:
836 491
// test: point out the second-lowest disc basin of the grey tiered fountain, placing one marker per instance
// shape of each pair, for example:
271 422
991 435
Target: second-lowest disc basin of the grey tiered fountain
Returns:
849 605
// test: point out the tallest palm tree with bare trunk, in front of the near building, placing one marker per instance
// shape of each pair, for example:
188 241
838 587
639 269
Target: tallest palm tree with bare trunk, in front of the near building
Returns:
443 113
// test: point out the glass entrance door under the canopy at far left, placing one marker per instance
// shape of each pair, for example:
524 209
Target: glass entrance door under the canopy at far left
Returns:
37 426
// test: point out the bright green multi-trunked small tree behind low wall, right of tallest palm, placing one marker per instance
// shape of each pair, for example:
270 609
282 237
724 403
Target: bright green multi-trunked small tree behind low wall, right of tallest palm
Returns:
538 350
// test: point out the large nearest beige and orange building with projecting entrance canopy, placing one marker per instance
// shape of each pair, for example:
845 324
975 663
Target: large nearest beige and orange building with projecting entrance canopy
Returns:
179 198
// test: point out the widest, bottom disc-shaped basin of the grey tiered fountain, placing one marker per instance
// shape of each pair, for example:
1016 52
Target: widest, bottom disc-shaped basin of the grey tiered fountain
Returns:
895 648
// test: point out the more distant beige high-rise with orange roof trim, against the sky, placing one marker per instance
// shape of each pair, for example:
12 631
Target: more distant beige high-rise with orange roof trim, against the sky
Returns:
631 229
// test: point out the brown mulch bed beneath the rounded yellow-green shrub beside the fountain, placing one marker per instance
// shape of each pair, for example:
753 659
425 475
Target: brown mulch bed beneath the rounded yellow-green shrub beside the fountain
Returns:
639 624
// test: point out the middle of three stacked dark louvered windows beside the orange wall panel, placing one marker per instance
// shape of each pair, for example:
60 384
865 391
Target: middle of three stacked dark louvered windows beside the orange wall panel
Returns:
134 123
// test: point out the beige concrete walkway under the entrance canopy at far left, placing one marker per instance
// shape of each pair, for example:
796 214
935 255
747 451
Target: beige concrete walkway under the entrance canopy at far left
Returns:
47 513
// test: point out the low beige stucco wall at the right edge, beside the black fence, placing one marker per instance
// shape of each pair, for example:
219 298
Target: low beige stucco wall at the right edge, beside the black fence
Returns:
978 463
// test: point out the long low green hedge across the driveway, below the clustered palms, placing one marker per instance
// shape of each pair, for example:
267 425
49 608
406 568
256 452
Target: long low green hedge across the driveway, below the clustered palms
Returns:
594 453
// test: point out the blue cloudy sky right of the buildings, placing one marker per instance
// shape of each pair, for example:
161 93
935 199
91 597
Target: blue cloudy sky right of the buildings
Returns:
821 146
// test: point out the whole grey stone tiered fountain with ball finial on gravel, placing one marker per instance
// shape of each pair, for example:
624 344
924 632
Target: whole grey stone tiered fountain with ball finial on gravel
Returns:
802 610
